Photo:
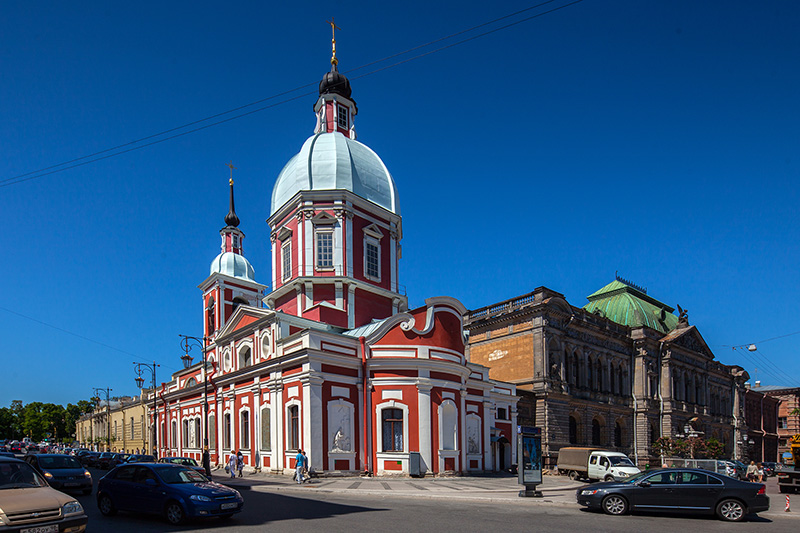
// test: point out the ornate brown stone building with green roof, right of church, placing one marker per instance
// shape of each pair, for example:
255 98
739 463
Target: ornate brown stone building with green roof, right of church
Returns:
619 372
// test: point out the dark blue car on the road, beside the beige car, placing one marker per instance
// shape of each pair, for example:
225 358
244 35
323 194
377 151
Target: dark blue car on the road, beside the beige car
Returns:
173 491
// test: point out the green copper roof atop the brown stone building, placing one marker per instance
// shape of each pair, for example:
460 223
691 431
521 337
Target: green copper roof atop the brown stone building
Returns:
632 307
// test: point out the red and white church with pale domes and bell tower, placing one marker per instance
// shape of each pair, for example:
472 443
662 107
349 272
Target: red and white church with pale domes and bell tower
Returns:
335 364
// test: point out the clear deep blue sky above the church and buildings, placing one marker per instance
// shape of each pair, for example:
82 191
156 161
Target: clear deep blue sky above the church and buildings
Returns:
657 139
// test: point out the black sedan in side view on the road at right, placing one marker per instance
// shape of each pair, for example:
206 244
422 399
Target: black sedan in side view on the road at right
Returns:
678 489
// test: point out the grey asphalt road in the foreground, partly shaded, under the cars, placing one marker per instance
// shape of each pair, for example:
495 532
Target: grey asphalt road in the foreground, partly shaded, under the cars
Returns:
332 512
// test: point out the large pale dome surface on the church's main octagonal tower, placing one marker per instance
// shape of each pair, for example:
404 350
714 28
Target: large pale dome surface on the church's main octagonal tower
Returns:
329 161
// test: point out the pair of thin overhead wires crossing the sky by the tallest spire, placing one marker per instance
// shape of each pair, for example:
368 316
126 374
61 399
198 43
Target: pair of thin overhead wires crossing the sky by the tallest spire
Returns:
175 132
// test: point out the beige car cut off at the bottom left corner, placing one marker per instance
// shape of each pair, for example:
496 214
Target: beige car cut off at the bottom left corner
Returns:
28 503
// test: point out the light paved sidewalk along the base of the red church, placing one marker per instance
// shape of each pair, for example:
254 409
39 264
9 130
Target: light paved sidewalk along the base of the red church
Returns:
501 487
